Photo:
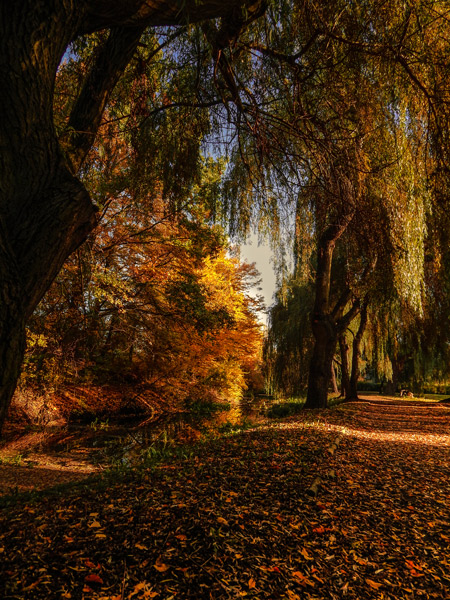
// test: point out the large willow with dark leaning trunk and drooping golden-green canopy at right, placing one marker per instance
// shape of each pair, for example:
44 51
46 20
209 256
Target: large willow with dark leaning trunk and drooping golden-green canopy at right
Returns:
345 89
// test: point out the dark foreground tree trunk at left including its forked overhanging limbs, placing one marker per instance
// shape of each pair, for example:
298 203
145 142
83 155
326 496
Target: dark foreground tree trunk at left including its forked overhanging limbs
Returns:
45 211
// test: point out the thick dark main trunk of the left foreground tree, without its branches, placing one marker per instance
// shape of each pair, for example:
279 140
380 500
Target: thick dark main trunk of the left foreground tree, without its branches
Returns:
44 210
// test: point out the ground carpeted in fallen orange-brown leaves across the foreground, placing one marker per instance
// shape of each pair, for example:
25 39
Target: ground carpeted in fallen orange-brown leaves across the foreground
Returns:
234 519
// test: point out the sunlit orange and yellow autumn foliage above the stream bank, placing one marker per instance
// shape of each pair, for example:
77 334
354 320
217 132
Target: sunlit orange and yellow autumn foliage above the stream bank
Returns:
154 299
